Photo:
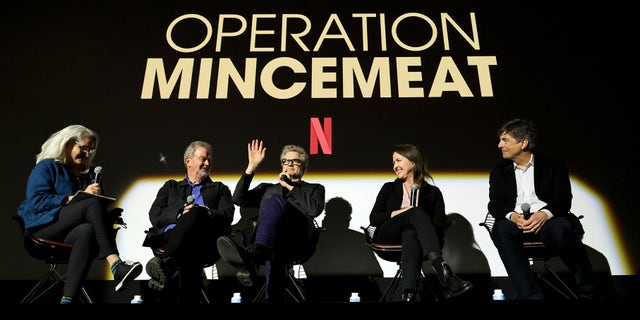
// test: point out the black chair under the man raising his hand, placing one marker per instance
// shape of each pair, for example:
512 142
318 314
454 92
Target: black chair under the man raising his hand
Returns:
293 288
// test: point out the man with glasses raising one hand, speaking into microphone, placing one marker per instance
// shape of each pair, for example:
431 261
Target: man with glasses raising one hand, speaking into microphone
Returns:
285 223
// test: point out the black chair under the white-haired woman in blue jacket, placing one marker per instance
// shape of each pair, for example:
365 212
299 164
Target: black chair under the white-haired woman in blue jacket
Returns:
53 253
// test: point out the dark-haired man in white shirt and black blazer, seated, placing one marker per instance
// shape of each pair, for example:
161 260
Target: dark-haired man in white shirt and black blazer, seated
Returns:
525 177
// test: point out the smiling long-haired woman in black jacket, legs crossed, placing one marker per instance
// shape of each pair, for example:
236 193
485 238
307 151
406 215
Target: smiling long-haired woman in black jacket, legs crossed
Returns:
410 211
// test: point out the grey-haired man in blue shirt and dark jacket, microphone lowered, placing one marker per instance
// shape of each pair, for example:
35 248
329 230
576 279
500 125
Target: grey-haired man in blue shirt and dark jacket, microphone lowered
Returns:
187 217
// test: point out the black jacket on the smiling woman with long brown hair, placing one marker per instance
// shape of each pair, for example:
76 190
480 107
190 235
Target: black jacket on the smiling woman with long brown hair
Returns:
390 198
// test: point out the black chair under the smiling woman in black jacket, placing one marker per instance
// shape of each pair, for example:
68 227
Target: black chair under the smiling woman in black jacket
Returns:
392 253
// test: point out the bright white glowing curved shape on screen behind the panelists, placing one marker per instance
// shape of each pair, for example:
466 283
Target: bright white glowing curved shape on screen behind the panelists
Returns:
465 194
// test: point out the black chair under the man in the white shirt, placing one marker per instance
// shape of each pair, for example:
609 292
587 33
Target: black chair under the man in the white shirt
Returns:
538 252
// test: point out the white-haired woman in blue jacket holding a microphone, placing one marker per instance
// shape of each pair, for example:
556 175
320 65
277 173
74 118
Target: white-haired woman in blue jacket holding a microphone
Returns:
62 169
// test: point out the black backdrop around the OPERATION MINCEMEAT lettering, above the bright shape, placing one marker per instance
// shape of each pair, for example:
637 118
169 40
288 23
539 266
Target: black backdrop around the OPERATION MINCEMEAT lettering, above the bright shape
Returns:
568 67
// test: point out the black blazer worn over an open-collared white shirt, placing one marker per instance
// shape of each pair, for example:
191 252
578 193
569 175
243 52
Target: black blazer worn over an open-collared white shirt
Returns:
551 180
